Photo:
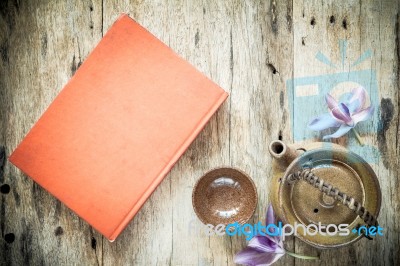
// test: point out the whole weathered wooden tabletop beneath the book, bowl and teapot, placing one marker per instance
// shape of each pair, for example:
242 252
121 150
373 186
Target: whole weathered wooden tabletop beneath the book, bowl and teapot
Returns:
249 48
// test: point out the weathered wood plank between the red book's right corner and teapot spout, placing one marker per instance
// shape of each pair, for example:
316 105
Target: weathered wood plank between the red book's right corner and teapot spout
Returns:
262 60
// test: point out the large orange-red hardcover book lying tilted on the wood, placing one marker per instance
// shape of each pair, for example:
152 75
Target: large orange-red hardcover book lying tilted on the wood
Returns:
117 127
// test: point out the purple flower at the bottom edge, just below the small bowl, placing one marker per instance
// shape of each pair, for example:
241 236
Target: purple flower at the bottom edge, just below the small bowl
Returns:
262 250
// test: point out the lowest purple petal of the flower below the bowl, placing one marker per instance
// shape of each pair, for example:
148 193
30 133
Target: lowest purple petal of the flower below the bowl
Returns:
252 257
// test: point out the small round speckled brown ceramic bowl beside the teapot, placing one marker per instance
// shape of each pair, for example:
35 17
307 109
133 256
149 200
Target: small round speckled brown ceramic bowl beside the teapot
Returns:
224 196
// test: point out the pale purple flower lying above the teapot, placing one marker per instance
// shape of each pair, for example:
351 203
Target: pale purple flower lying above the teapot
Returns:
343 115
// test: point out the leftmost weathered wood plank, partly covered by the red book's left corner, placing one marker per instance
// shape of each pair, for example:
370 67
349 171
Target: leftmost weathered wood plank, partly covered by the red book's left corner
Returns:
42 44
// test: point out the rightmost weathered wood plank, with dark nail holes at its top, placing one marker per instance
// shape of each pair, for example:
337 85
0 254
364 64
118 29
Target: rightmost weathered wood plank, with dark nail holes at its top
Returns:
364 25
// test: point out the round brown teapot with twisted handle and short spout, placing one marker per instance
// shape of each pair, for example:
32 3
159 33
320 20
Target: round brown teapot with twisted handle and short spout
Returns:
323 184
